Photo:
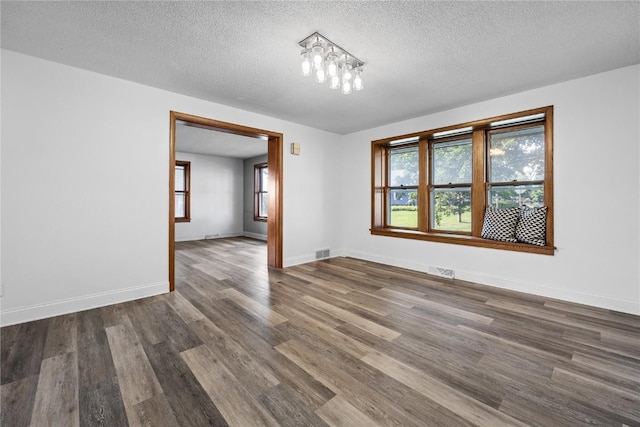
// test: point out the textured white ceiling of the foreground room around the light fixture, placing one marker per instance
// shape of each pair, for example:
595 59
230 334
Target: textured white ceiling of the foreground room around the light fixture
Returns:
421 57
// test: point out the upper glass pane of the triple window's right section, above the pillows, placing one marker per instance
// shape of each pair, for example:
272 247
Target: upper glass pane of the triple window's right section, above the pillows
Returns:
517 155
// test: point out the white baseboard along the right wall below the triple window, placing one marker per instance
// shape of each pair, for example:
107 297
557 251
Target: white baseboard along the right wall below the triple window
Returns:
548 291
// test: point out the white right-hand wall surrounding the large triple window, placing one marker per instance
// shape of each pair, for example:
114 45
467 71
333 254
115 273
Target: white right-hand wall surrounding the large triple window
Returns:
596 193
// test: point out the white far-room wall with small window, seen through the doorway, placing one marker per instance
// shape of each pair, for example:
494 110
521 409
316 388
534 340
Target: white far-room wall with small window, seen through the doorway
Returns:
216 197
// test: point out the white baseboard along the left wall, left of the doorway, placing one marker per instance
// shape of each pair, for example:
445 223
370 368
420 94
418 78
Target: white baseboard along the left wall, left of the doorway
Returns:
72 305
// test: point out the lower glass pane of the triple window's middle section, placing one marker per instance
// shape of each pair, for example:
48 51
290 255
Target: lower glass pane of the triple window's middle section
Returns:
451 209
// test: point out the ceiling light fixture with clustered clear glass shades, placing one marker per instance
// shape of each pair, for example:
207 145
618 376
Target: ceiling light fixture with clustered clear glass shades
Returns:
340 68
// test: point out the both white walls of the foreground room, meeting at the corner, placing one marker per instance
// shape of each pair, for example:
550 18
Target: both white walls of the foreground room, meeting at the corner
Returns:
84 176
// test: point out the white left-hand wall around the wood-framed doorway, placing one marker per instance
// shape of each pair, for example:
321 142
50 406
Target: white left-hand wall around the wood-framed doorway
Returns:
85 187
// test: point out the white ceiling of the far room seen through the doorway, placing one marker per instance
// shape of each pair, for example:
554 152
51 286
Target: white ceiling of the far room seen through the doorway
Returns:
198 140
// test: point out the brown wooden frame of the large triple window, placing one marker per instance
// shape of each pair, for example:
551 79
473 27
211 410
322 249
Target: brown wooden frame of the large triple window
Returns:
479 131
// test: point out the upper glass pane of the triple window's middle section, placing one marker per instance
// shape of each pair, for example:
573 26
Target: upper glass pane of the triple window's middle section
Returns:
452 162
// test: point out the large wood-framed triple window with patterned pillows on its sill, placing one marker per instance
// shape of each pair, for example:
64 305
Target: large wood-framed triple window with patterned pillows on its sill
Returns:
436 185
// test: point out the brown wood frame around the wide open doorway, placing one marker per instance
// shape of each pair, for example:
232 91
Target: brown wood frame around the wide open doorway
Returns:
275 162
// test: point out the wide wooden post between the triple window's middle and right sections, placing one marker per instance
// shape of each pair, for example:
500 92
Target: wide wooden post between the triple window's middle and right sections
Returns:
479 175
